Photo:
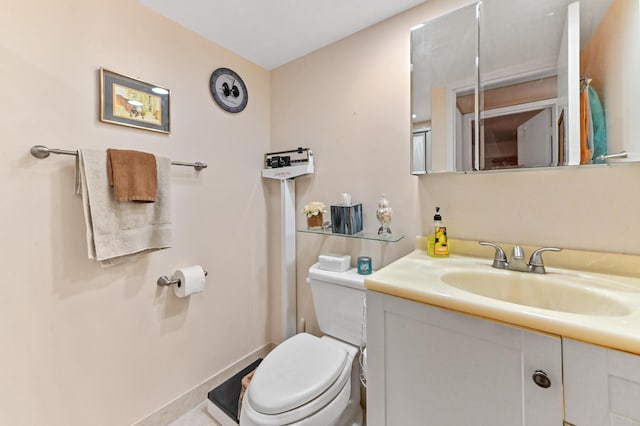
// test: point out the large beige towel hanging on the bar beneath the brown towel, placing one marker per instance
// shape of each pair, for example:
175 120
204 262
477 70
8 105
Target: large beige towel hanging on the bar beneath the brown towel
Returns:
118 232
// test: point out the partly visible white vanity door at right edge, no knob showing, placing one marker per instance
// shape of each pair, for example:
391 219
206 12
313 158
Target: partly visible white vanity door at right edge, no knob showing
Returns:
602 386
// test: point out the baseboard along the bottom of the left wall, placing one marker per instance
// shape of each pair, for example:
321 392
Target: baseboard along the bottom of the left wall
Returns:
198 394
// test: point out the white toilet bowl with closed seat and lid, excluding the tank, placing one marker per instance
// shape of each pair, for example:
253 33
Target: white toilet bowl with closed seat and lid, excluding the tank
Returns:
299 378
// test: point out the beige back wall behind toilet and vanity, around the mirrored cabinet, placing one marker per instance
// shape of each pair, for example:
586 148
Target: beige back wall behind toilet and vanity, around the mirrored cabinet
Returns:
349 102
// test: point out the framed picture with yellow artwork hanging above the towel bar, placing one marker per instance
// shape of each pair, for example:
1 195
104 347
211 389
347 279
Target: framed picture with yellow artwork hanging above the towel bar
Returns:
130 102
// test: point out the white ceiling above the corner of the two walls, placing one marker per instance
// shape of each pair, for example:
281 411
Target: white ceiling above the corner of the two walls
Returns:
271 33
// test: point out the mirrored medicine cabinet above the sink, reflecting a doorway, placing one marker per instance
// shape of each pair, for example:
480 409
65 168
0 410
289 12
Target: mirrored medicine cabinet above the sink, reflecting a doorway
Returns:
553 85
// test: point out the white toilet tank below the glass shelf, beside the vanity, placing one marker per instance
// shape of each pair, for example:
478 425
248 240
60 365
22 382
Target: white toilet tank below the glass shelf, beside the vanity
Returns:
338 299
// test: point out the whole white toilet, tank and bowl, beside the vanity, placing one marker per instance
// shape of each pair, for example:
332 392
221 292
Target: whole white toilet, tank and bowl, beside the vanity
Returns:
309 380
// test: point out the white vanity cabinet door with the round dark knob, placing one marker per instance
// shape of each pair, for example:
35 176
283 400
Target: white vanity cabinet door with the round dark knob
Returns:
431 366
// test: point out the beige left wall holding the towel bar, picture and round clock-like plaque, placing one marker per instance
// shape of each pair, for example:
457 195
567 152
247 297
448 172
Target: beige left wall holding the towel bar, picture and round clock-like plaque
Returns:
83 345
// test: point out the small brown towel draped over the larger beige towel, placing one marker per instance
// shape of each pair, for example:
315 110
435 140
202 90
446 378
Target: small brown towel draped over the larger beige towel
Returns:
133 175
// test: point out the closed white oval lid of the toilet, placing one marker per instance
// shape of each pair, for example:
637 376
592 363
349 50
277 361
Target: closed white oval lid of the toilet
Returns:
294 373
